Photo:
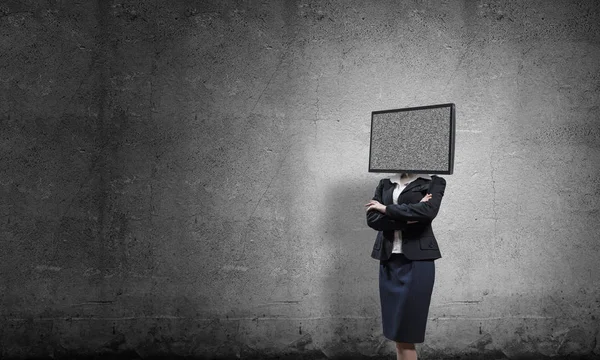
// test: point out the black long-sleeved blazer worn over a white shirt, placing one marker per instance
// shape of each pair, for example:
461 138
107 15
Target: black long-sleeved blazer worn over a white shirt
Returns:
418 241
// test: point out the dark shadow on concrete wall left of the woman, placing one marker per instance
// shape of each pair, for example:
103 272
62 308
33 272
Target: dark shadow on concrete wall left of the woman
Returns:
351 287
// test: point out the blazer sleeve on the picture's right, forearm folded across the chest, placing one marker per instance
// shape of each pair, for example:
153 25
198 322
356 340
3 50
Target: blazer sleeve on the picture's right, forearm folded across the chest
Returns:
422 211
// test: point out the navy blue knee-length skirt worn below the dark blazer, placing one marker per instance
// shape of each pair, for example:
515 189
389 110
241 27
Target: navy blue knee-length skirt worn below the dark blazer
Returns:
405 288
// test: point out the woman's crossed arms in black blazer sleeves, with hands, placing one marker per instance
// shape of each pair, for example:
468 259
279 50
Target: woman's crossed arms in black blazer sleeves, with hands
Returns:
397 216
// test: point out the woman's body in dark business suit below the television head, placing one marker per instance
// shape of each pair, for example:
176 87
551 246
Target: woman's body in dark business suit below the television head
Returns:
401 211
